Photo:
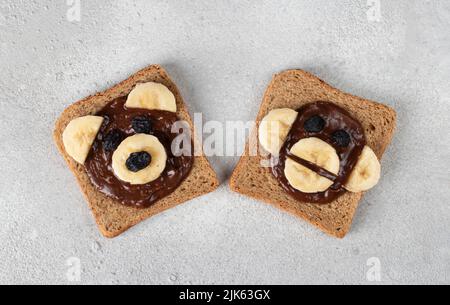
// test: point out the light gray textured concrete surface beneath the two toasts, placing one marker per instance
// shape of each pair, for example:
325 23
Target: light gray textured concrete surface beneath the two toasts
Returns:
222 54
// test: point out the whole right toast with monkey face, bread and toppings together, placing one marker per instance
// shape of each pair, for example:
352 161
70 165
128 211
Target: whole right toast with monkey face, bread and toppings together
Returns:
320 150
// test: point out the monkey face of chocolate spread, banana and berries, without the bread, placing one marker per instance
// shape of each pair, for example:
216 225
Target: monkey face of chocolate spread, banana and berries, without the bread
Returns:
318 152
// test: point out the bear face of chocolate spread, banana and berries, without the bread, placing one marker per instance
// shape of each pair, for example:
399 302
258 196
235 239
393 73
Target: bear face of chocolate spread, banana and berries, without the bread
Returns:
131 158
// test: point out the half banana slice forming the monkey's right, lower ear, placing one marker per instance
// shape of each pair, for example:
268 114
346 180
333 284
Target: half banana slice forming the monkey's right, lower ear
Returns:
366 173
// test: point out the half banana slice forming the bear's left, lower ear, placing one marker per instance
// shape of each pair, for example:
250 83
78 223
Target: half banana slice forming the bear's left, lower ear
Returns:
79 136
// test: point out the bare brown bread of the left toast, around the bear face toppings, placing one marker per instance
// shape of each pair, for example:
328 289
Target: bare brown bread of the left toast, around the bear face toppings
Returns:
112 217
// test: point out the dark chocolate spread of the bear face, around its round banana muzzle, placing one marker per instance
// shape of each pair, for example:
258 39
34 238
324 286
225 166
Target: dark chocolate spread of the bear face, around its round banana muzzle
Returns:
119 123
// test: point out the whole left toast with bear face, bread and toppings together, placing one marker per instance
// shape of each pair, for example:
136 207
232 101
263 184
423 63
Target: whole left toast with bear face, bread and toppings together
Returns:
117 144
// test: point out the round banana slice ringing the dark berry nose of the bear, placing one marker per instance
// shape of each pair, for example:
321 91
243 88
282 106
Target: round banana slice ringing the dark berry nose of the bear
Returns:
135 144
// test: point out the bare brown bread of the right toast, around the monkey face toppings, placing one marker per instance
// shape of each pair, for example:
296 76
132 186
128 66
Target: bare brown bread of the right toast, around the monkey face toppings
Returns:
293 89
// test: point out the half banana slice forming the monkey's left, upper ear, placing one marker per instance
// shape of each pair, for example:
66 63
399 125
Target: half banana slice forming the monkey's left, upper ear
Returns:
274 129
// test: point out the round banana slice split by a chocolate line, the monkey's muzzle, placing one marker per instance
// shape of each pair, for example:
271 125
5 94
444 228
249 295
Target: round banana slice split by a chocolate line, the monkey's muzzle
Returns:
318 152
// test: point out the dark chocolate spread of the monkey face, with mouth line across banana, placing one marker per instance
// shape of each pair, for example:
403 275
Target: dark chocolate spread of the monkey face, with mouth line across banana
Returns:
339 130
